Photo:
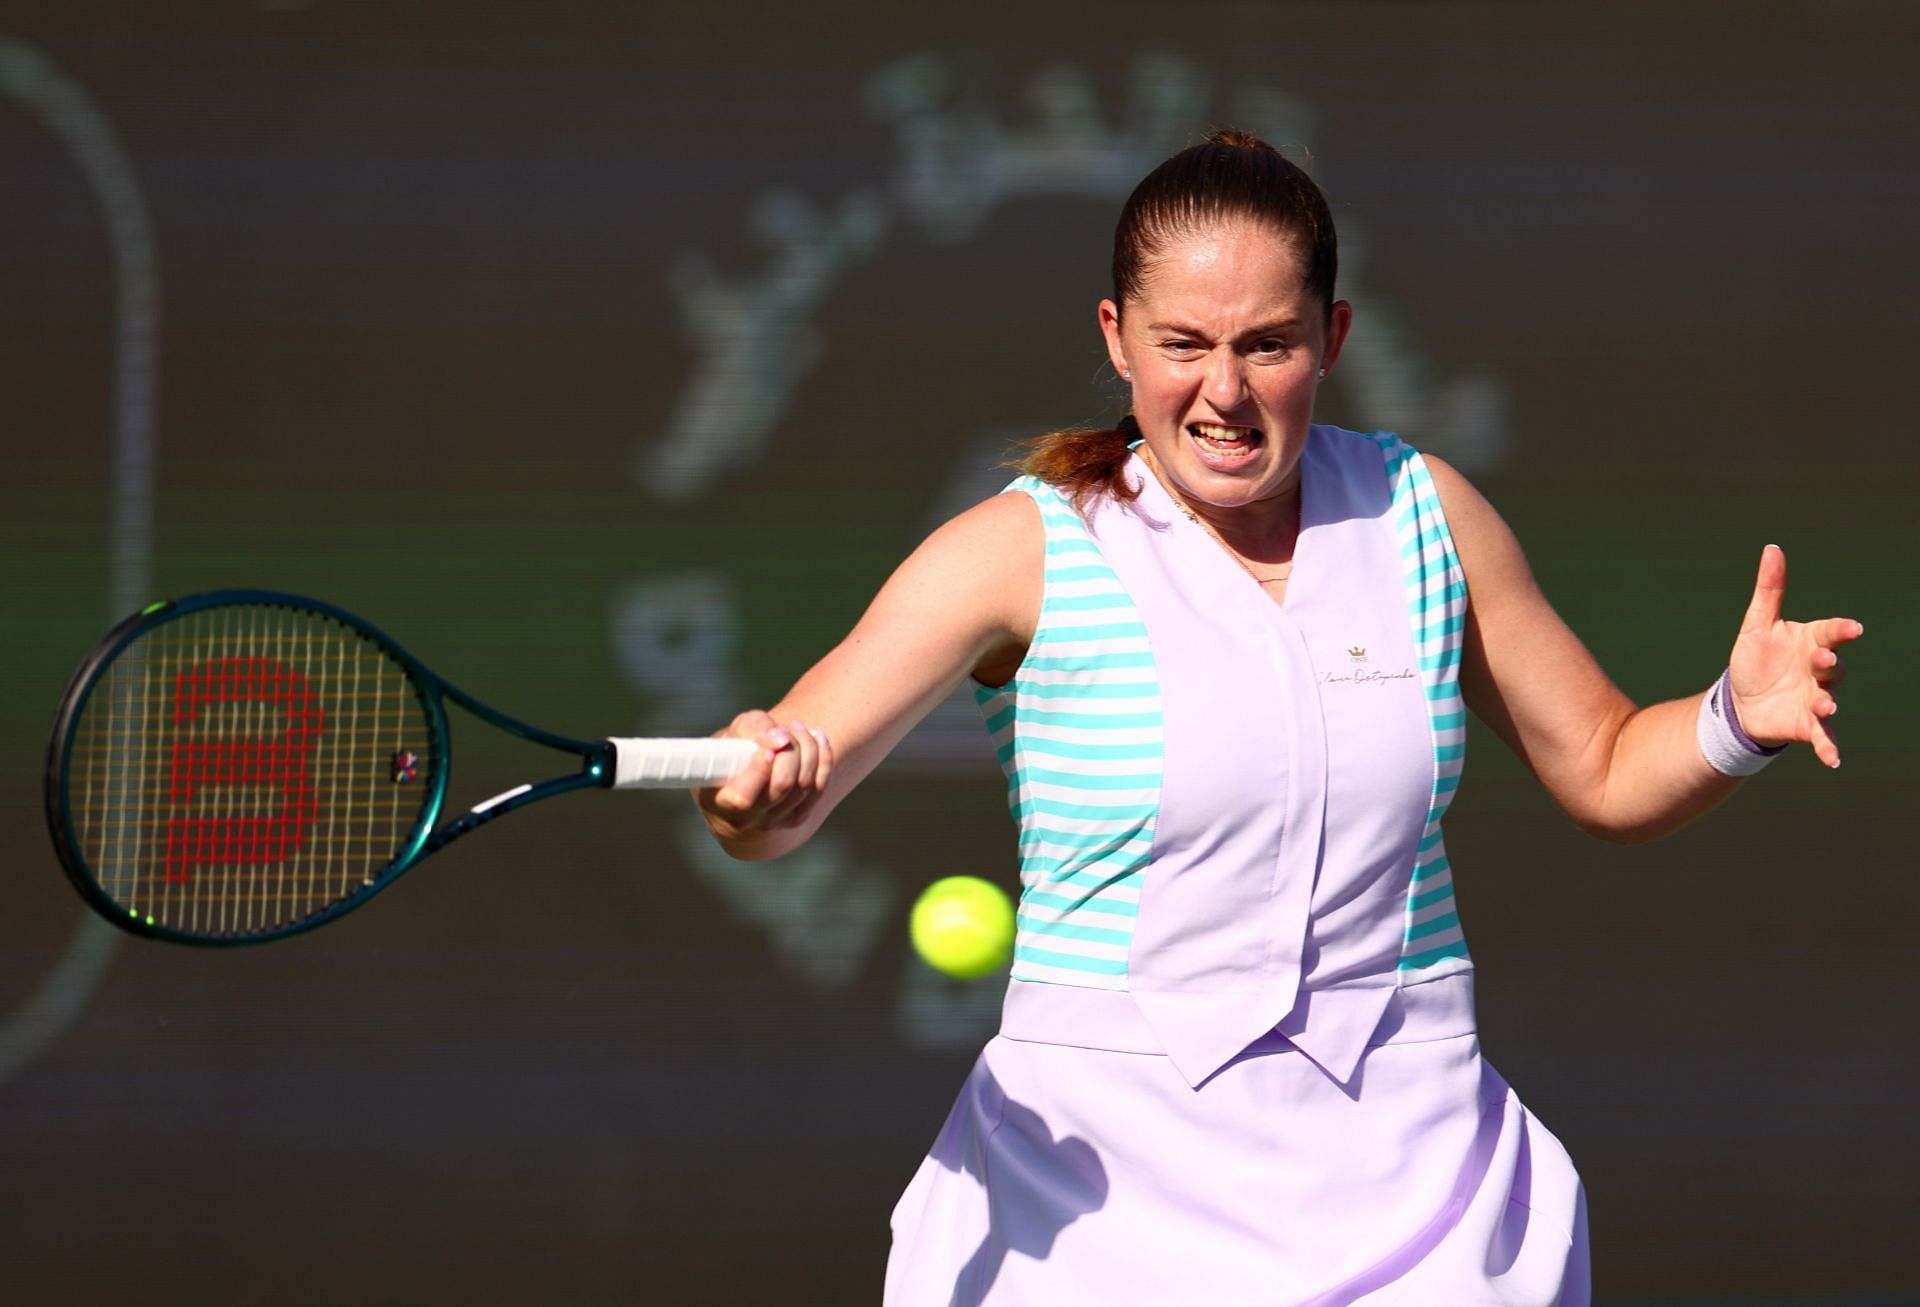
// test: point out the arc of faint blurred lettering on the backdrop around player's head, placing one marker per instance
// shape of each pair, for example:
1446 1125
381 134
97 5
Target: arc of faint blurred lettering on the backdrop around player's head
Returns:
959 158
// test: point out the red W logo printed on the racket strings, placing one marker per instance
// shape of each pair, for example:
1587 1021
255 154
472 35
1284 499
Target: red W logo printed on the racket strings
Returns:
276 765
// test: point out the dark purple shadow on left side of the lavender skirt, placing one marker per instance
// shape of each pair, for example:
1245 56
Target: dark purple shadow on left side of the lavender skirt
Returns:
1038 1187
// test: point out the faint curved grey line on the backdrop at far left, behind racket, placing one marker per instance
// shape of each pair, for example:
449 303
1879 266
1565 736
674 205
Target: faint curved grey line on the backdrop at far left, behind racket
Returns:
30 80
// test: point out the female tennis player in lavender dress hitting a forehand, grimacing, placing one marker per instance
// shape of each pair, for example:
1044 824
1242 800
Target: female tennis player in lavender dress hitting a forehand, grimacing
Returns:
1226 655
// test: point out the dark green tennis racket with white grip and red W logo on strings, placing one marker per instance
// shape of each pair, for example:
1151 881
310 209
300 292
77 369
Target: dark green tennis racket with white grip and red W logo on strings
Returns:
243 765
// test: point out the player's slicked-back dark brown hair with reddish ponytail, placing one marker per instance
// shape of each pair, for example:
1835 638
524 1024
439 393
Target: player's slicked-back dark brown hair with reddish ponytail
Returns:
1232 176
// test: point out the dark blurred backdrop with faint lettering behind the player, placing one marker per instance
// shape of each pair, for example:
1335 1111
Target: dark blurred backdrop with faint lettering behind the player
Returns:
612 356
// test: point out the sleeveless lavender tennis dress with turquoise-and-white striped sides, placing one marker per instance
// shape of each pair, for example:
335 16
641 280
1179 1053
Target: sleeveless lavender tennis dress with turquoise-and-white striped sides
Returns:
1237 1060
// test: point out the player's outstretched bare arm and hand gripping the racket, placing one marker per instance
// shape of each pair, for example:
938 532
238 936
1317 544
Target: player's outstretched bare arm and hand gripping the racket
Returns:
965 604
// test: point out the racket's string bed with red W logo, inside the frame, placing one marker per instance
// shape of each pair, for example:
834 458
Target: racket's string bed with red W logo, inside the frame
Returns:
243 769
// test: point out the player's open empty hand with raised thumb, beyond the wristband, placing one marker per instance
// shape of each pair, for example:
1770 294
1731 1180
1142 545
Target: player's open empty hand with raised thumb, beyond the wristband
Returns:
1785 675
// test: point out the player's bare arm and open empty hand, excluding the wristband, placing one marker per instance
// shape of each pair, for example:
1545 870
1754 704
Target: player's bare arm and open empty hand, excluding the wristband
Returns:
1620 771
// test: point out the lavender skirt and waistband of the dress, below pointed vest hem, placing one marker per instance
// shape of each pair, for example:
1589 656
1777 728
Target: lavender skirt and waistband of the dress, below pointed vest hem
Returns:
1076 1176
